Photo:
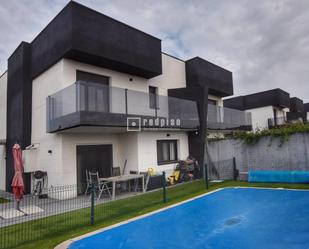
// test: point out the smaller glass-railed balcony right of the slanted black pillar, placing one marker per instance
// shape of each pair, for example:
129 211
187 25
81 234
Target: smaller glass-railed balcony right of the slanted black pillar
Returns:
222 118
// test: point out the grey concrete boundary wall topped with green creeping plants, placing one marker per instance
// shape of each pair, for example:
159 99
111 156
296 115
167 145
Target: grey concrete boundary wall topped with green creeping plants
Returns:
267 154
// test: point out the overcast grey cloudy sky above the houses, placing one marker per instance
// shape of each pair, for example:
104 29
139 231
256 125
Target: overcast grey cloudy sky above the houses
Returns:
265 43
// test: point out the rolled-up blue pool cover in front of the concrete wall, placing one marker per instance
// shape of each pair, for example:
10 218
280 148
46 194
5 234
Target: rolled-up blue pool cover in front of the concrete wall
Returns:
279 176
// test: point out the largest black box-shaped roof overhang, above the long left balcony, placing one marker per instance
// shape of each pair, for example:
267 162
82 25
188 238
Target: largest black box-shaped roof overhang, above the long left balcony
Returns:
85 35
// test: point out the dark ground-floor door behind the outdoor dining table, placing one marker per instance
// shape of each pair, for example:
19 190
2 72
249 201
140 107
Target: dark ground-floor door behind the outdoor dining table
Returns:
93 158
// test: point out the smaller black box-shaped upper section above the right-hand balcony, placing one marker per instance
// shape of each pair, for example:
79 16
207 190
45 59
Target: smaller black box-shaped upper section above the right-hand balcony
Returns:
200 72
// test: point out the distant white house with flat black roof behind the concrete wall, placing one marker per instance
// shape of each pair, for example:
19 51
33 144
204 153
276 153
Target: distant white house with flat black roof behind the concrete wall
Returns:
268 109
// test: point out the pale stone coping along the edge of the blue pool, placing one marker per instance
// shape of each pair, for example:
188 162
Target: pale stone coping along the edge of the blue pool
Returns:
67 243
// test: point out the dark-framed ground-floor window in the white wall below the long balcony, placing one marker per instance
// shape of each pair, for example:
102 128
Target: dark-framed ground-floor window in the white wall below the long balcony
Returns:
167 151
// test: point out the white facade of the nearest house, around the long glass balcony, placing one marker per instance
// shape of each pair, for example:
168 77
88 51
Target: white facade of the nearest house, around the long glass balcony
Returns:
56 153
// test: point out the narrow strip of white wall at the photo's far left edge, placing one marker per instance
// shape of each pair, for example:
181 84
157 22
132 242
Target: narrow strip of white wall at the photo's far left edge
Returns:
3 94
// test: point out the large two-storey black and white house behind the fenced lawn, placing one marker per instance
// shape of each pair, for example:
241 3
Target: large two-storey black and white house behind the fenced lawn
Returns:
90 92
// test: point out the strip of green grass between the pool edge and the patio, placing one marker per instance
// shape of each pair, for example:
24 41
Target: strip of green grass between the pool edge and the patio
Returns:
46 233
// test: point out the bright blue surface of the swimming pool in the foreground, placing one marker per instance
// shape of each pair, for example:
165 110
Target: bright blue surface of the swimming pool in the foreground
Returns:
241 218
